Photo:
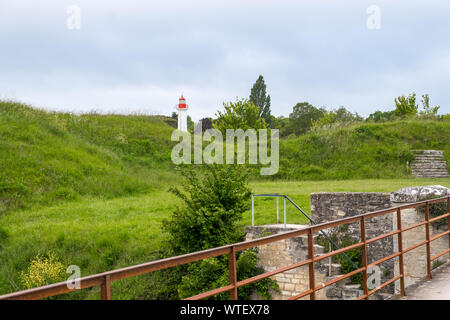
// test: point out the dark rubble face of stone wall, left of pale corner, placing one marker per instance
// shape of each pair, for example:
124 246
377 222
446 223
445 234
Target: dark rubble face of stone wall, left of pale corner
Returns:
326 206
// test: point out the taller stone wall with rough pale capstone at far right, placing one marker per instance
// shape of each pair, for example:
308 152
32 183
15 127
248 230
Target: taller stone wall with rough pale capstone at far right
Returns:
333 206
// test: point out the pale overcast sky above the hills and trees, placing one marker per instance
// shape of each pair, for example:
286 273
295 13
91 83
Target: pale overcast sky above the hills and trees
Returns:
139 56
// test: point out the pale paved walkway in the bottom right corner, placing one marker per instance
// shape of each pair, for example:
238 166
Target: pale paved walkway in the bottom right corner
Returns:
437 288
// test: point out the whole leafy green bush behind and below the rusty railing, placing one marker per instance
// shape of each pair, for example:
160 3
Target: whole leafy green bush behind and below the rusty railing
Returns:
214 196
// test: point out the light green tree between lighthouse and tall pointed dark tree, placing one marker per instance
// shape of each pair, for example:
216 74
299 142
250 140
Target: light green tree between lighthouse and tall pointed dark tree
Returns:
242 114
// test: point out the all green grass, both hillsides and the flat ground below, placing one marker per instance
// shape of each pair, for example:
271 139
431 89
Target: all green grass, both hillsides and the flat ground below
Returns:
93 188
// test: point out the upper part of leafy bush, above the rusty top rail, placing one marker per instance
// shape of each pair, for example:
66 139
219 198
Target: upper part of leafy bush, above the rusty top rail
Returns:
215 196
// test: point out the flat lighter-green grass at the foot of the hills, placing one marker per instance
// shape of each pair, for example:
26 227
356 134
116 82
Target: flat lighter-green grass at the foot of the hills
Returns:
104 234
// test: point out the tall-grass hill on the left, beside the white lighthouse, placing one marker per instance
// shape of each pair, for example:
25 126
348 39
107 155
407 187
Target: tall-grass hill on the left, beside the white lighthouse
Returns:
47 157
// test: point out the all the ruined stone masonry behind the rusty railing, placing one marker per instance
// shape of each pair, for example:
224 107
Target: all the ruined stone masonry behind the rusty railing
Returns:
327 207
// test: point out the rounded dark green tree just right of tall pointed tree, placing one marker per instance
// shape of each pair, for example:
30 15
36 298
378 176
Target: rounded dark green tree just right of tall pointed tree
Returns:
302 116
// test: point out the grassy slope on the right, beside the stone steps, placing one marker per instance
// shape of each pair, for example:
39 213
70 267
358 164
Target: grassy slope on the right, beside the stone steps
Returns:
361 151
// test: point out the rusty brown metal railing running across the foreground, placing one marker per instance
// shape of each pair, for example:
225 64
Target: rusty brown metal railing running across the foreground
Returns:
104 279
